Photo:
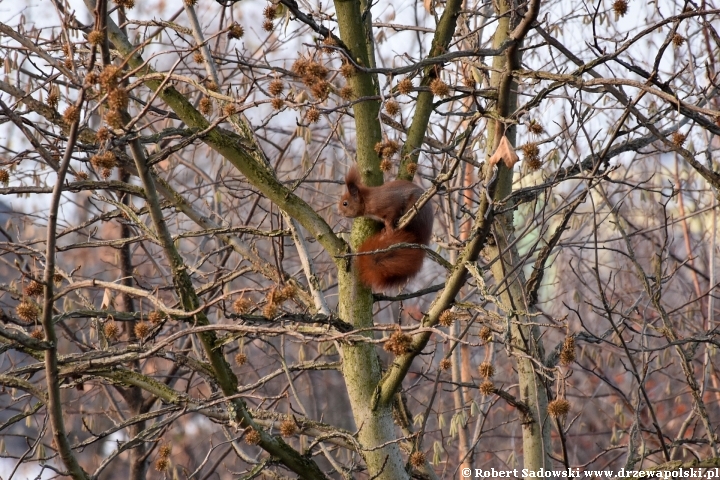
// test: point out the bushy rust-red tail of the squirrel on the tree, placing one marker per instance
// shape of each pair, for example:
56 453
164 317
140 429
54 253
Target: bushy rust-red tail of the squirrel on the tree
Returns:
393 268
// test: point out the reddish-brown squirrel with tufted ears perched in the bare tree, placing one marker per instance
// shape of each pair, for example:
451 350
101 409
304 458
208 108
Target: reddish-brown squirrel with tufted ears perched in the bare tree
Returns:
387 204
